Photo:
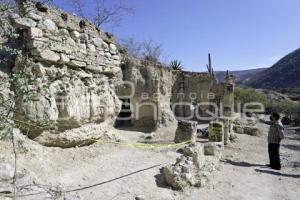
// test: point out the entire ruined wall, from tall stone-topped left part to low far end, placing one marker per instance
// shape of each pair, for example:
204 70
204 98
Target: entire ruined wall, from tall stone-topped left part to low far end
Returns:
79 74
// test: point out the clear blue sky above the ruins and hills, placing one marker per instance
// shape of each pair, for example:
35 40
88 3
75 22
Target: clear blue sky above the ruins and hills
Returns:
239 34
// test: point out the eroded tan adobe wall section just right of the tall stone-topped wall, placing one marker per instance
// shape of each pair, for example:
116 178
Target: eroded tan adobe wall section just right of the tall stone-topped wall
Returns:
150 97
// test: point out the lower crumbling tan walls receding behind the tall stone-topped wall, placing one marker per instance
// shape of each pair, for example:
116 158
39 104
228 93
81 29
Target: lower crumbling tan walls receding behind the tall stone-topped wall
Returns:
165 87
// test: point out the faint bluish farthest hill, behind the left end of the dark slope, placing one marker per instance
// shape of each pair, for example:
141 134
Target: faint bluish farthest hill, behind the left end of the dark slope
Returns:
242 76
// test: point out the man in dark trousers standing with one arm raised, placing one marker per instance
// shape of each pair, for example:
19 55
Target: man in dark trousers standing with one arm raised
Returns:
276 134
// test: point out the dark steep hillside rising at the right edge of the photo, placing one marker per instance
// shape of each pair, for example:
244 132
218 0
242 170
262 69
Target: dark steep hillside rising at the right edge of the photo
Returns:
284 74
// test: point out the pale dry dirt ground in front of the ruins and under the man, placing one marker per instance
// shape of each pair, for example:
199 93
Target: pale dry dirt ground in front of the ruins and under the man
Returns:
124 172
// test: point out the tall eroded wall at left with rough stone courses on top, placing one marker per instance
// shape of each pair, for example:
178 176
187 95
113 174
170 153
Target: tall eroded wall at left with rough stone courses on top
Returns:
74 75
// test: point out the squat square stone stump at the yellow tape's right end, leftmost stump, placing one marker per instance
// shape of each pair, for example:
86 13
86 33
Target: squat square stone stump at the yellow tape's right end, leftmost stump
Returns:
186 131
